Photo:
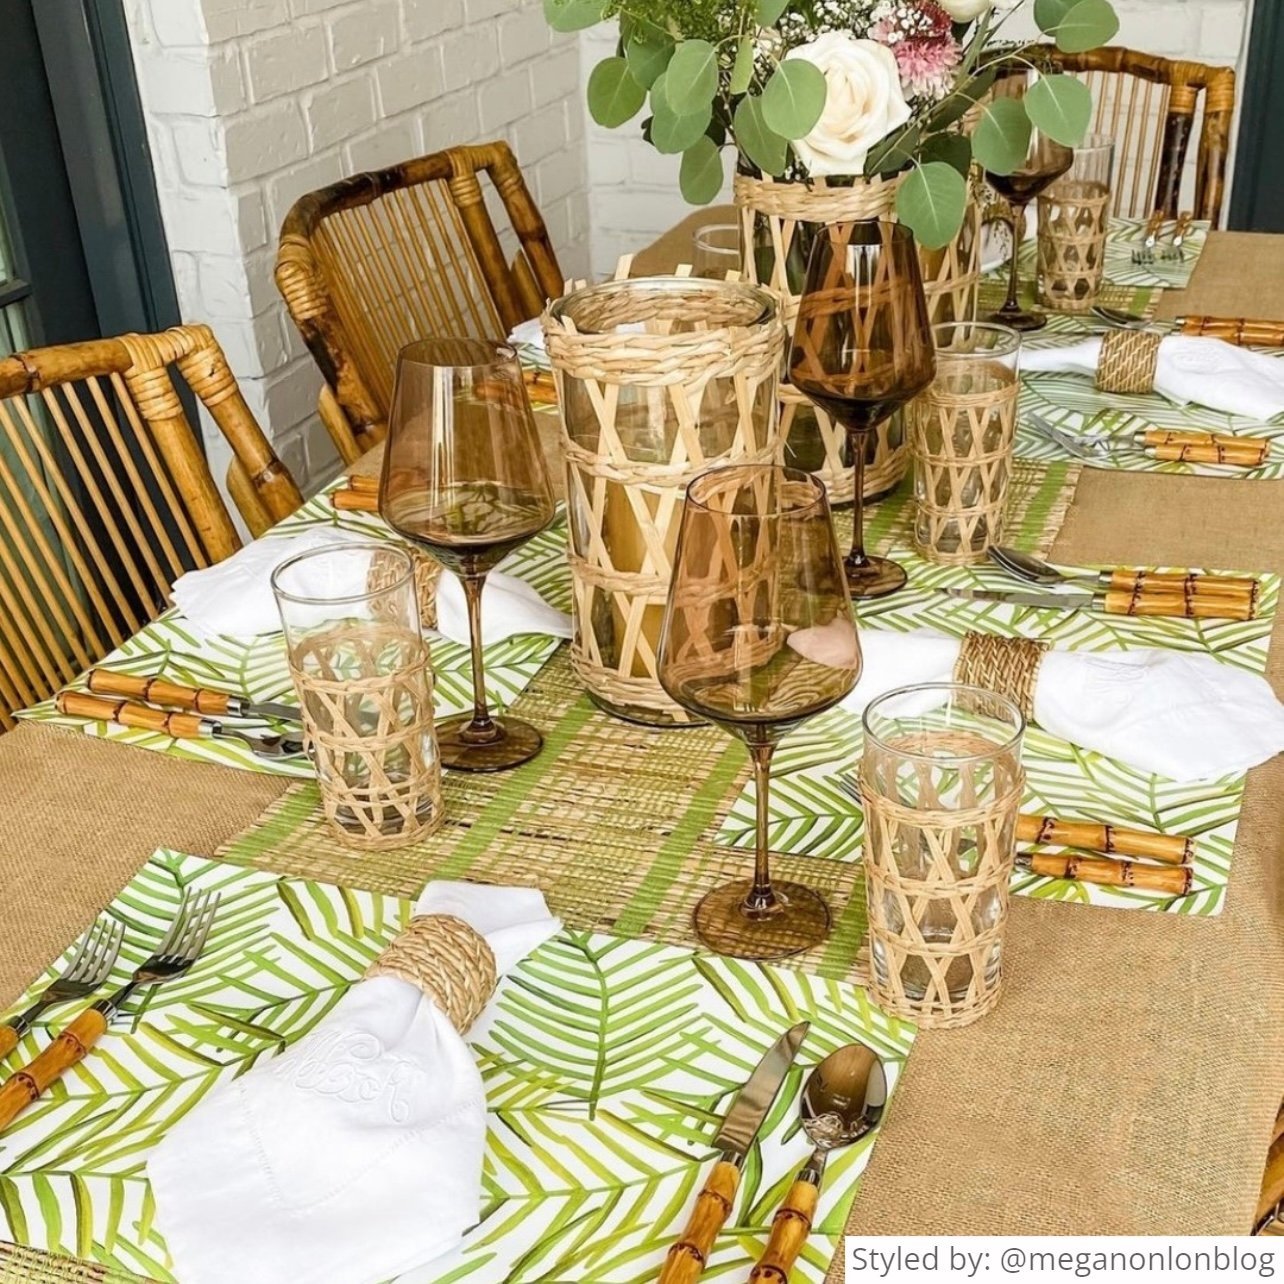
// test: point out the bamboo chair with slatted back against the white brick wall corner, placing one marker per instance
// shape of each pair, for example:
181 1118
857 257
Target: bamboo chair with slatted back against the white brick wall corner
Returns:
381 260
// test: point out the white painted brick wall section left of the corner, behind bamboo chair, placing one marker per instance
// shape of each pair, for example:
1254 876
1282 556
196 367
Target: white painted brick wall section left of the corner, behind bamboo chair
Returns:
252 103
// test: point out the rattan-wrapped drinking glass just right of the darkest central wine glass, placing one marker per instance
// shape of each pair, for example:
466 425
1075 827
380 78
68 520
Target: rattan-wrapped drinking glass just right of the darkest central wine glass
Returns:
962 435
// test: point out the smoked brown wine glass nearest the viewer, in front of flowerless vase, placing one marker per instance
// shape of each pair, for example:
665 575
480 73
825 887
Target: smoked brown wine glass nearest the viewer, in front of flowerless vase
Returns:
758 638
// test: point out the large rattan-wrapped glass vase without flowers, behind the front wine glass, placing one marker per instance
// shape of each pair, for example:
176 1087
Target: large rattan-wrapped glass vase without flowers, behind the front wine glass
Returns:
659 379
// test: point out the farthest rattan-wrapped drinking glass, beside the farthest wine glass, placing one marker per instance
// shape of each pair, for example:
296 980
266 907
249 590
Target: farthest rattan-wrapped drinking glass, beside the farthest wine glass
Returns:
1074 218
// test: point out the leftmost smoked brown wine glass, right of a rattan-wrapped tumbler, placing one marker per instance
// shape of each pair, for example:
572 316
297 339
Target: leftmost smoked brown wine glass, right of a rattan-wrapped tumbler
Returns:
464 477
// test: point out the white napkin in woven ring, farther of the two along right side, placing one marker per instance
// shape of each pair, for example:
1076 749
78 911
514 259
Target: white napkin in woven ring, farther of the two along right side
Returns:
1206 372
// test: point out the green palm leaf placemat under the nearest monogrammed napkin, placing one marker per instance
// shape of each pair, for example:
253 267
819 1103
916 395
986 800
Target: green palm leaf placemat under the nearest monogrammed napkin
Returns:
608 1064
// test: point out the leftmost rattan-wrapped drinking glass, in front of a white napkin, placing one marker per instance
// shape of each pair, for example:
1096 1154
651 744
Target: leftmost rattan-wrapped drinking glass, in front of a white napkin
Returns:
365 682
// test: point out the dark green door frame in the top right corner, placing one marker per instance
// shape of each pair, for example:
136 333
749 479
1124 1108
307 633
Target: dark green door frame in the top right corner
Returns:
1258 195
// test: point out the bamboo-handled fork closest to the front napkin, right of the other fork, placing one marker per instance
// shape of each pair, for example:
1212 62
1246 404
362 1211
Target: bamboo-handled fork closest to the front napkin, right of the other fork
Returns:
180 948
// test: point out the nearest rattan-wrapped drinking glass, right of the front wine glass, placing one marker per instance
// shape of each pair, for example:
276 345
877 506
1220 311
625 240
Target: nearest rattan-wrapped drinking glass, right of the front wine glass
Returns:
942 786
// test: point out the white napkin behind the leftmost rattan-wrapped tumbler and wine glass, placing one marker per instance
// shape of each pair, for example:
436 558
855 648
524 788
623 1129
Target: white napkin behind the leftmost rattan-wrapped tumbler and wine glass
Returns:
236 596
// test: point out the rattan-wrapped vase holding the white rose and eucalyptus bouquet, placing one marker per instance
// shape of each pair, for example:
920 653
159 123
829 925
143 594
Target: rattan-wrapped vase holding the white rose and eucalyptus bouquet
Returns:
779 225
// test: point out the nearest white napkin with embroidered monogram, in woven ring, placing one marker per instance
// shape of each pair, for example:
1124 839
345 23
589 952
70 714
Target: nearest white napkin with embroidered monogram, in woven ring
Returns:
355 1155
